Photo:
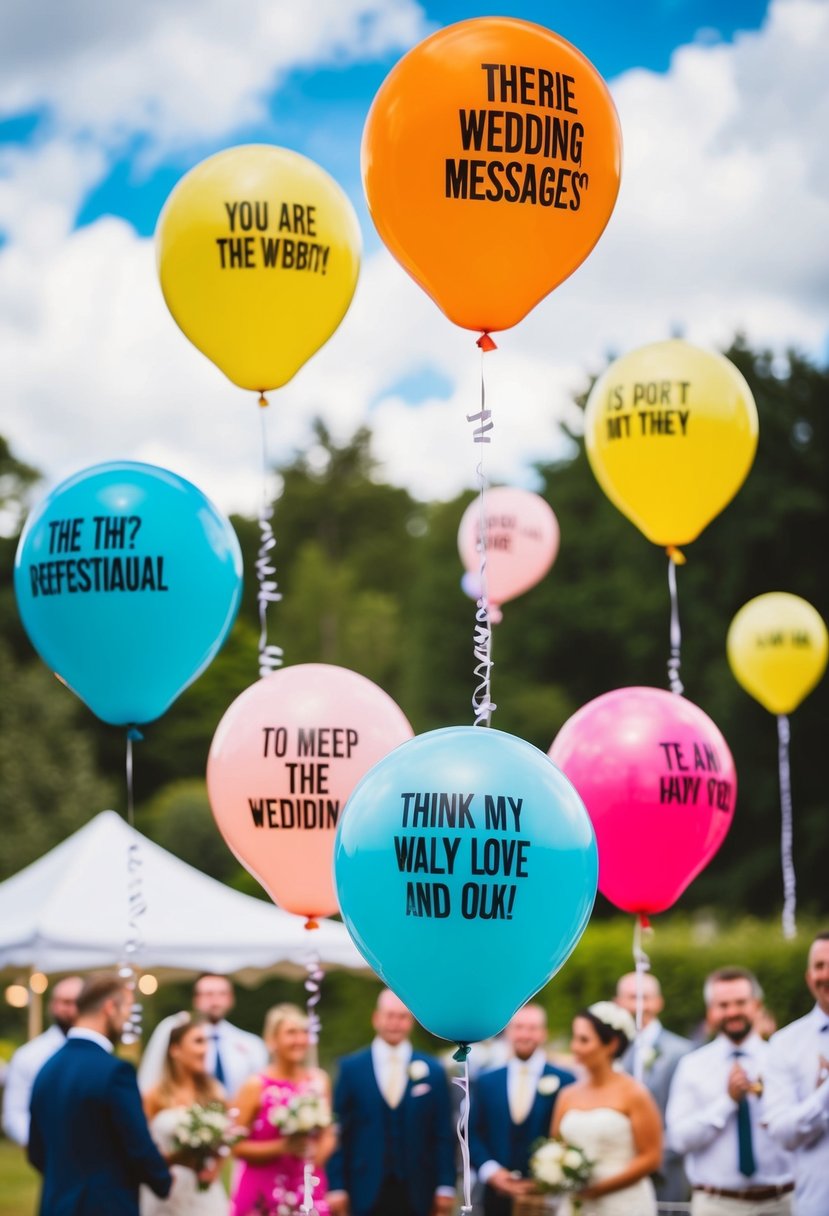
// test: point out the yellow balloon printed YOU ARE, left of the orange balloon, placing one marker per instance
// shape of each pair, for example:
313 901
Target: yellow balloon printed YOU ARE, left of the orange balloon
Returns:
258 255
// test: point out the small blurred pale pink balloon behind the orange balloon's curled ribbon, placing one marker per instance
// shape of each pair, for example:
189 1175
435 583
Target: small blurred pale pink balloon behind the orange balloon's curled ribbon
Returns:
522 542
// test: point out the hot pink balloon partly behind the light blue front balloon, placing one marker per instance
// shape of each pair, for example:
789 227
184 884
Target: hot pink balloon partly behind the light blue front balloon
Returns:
659 784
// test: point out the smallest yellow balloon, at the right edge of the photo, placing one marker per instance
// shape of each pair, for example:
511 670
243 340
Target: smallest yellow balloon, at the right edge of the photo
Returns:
777 649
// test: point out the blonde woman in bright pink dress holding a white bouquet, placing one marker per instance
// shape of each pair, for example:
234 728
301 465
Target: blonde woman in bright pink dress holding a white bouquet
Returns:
287 1110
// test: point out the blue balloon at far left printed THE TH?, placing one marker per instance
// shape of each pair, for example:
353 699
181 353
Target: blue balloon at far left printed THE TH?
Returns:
128 582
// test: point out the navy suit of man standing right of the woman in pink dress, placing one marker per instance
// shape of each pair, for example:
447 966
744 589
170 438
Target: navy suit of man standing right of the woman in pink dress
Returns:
413 1144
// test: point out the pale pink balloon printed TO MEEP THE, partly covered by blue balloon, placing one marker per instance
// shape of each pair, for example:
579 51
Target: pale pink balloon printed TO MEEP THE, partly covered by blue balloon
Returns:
284 761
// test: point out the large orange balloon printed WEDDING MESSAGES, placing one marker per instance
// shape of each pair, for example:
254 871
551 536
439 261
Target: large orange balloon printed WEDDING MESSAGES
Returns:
490 161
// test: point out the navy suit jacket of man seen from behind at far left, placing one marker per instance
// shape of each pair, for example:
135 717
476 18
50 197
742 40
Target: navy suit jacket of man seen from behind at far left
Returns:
89 1135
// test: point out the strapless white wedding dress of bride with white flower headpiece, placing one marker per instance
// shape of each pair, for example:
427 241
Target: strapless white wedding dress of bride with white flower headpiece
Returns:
607 1138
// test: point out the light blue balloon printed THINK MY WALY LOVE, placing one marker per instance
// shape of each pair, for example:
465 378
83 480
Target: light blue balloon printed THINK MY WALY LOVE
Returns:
466 870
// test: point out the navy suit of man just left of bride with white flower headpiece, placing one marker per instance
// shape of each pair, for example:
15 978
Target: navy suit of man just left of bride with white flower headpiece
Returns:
495 1138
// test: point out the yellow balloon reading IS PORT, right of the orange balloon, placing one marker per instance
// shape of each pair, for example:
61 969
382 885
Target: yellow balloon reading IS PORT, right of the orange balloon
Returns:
672 432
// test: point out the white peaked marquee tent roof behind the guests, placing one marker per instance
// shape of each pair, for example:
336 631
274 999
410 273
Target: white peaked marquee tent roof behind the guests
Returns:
70 913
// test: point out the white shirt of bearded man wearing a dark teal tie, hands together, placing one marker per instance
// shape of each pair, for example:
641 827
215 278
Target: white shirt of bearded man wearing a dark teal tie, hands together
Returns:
702 1118
